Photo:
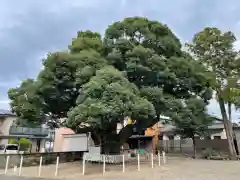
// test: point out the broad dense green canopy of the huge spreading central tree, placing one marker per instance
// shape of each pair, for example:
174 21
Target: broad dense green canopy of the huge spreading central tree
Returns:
138 70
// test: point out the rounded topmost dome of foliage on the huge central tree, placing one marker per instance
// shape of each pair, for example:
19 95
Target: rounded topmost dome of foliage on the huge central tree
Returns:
141 31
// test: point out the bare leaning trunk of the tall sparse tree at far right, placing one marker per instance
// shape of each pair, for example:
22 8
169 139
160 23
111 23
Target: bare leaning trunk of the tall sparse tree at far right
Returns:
228 128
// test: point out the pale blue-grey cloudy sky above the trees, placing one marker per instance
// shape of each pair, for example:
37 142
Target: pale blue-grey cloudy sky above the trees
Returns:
31 28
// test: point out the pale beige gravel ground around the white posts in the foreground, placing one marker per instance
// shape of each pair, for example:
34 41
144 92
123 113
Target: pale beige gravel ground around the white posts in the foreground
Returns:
175 169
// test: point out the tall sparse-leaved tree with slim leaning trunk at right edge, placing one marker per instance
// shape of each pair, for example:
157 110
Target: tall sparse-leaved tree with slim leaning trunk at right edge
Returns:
214 49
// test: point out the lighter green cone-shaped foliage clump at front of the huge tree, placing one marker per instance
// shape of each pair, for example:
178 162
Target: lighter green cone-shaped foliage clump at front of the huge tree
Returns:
107 99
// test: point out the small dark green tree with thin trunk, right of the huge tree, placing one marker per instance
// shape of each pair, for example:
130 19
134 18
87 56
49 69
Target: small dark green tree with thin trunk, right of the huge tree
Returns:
192 120
